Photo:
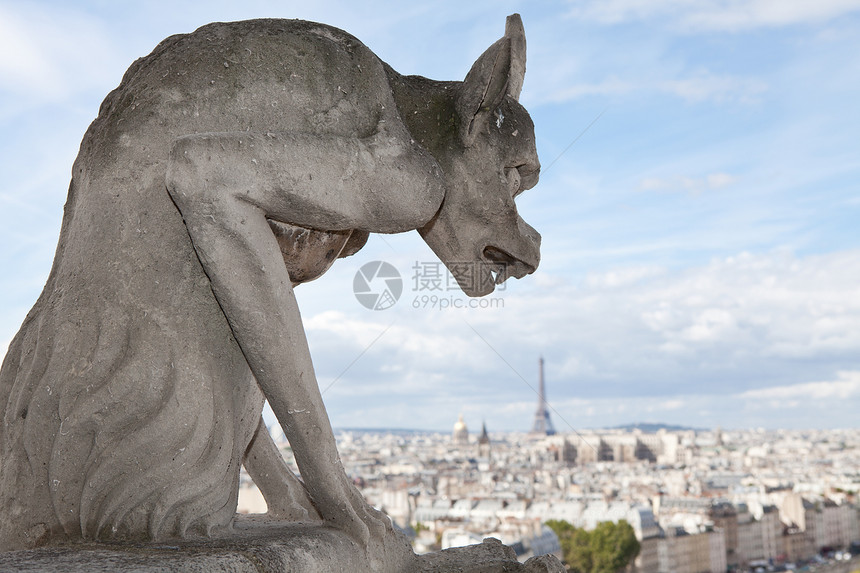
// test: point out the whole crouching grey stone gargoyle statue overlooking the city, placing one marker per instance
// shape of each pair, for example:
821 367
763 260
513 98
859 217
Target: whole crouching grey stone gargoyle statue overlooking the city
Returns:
230 165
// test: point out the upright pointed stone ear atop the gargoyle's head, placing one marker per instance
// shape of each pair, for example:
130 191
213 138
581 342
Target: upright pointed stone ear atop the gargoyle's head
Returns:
496 73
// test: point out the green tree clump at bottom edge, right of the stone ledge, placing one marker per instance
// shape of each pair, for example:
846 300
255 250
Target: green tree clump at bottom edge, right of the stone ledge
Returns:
607 549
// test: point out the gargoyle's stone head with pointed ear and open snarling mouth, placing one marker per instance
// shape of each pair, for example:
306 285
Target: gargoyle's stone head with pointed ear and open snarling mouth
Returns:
477 232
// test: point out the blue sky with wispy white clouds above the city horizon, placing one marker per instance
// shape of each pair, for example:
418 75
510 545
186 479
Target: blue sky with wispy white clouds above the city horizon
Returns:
701 252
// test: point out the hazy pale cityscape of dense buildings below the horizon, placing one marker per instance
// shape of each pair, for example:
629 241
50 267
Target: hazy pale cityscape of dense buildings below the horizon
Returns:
697 501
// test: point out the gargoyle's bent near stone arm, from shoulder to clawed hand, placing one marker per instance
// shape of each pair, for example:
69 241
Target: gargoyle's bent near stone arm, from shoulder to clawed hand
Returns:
225 185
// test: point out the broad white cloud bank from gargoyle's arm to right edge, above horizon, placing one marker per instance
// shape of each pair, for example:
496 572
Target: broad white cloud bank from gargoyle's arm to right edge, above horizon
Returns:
639 334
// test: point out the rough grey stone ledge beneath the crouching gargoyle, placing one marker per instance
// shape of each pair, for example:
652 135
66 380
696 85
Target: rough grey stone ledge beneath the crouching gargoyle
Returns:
263 548
